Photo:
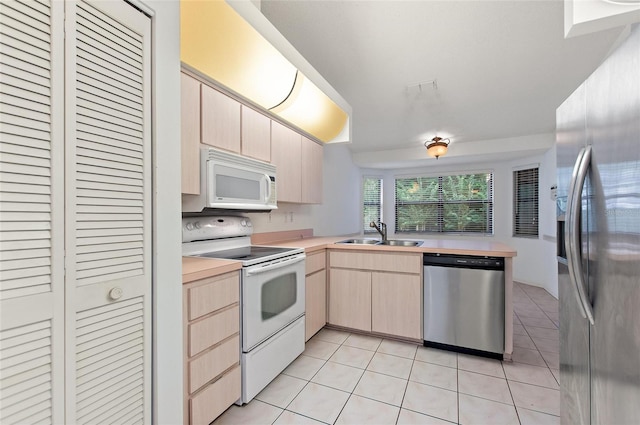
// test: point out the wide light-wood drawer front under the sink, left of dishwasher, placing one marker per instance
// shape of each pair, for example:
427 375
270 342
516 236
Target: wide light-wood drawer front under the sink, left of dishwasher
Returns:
389 261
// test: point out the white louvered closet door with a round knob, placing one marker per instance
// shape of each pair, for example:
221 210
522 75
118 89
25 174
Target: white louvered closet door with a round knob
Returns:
108 213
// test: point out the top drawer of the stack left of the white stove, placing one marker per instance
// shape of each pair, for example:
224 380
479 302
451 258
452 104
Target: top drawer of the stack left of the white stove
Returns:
213 294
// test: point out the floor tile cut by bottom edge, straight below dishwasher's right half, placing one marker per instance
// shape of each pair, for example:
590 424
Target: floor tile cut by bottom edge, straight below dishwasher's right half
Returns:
478 411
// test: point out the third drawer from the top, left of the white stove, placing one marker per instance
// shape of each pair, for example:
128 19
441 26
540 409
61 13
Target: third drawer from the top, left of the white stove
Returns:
213 363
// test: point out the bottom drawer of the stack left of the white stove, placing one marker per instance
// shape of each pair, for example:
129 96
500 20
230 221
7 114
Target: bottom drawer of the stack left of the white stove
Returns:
215 398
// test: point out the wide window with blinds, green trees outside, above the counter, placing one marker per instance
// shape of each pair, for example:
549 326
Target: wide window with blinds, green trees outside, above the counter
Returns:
445 204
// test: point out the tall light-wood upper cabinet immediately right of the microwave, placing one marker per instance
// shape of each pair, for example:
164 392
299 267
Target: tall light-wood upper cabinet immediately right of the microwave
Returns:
286 155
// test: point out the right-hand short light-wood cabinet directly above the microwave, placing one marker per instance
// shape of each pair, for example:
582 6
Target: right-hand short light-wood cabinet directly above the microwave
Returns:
256 135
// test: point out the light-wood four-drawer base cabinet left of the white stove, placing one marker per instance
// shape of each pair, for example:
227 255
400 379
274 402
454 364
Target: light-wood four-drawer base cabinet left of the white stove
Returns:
211 326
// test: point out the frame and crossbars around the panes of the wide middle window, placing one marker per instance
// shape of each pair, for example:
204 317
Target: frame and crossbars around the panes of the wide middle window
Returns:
490 202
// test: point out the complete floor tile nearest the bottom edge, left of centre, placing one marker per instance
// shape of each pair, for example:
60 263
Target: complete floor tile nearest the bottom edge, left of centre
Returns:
319 402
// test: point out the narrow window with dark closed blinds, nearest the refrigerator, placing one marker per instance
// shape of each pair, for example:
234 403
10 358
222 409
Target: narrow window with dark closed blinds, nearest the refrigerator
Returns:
525 203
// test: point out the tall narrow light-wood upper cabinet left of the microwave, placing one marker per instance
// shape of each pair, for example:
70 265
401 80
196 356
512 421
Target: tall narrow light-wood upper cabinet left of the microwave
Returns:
190 133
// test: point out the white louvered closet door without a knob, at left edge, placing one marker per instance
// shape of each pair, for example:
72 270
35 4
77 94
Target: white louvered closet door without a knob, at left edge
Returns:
31 212
